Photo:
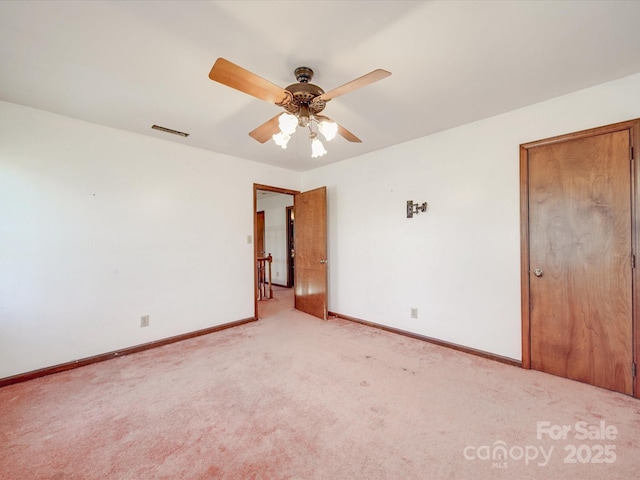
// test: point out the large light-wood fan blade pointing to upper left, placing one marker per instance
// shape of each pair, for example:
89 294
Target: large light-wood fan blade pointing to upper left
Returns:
234 76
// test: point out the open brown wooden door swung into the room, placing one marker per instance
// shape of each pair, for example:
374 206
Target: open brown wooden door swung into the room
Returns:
310 209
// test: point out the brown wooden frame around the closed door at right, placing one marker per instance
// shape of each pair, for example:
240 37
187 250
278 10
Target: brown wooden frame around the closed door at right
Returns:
634 134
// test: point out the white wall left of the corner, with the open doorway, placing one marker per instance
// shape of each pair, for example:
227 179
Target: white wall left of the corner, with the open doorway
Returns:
100 226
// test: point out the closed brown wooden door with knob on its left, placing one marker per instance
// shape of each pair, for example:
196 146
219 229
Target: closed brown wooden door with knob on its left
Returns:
579 272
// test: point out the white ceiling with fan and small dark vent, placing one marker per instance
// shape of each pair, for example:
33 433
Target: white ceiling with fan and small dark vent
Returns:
132 64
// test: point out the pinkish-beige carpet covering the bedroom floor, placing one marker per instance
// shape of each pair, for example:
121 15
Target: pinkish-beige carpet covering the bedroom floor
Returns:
295 397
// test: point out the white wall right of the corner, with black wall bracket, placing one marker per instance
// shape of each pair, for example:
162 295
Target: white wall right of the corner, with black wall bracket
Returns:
459 263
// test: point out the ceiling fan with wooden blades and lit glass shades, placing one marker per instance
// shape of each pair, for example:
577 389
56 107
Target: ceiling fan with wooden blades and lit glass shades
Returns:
303 102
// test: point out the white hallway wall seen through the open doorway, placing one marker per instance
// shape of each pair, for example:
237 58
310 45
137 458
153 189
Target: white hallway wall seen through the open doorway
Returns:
275 238
